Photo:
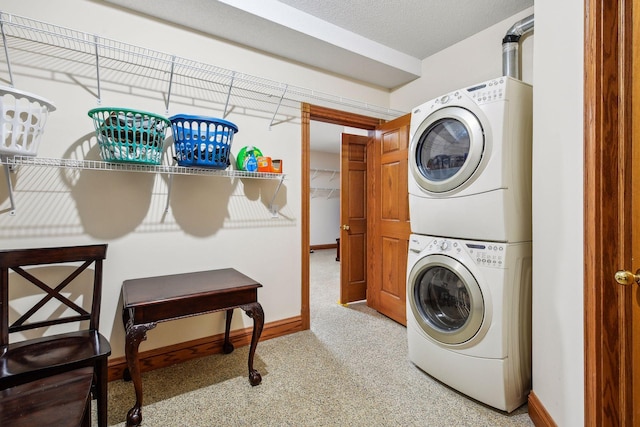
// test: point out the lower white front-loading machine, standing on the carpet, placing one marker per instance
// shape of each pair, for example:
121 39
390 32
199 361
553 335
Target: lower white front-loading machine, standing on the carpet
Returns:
469 316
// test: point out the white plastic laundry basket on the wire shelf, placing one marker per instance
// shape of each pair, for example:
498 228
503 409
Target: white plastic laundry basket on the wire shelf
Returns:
24 116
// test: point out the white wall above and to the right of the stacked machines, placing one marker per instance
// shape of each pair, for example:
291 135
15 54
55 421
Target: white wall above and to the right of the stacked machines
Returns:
558 368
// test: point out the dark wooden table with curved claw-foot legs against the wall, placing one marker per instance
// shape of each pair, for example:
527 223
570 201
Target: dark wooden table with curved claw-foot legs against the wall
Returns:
151 300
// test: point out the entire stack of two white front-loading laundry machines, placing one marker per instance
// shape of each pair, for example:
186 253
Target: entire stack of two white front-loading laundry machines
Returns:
469 261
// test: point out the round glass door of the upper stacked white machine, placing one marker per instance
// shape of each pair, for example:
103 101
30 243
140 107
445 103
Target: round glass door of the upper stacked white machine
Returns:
446 149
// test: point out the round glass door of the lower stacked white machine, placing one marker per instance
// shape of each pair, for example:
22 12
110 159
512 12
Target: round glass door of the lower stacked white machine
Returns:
445 299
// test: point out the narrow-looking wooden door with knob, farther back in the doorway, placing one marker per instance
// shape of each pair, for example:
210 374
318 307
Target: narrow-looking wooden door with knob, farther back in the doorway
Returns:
353 218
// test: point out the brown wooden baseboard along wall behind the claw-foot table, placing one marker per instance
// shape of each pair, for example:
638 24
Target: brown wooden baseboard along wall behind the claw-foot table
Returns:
182 352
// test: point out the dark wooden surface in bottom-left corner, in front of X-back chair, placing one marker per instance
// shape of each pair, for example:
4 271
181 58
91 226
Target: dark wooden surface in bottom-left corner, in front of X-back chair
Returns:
60 400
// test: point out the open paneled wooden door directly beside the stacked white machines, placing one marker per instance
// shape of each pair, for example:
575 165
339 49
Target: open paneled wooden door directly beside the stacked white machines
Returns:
388 207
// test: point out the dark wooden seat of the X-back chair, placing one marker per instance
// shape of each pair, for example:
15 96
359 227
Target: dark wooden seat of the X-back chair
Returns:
51 354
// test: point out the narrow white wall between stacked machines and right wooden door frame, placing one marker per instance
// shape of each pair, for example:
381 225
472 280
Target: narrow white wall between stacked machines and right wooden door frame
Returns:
558 358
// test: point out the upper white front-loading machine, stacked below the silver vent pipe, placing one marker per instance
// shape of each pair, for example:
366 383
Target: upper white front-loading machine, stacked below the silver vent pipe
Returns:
470 163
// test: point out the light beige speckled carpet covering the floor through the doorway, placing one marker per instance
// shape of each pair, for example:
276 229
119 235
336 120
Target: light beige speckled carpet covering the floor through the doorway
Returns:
350 369
